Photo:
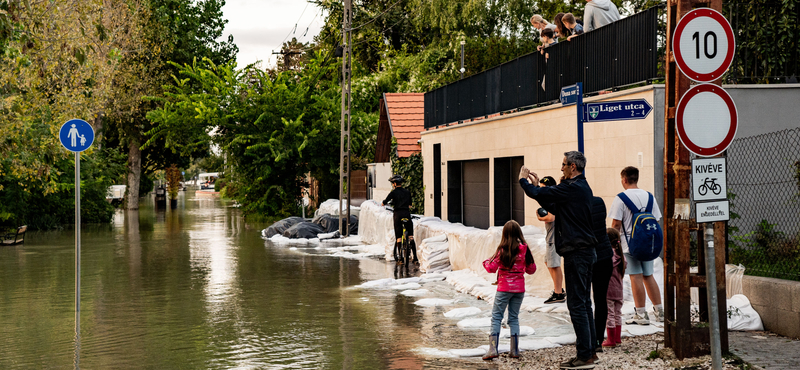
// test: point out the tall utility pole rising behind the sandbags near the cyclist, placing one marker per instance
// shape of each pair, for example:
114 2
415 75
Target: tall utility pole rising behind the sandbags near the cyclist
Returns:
344 157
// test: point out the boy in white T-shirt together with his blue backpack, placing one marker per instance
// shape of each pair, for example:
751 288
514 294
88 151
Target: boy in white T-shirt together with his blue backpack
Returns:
642 241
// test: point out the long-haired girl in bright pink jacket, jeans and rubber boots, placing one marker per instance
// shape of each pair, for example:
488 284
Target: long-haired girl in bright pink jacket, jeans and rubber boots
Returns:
513 259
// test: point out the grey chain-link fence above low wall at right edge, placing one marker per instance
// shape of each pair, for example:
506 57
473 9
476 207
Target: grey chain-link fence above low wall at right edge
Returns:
764 189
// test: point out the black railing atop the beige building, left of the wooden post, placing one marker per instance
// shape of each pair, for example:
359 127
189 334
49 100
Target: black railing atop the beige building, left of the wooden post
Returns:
619 54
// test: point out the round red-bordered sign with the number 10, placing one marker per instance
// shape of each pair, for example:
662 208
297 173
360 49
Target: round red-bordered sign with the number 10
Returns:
703 44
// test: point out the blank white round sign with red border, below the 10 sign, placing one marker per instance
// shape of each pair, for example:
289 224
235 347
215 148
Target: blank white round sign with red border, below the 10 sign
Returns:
706 120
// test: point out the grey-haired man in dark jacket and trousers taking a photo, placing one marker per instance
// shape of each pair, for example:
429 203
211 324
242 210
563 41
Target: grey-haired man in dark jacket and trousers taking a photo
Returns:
570 201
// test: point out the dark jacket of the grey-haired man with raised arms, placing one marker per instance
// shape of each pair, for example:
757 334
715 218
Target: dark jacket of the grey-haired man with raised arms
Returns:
571 202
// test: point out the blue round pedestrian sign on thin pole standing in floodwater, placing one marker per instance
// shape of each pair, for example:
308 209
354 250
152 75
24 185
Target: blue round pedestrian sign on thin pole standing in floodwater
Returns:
76 136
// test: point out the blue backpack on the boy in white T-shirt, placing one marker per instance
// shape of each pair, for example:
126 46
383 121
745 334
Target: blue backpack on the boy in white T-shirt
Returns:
646 239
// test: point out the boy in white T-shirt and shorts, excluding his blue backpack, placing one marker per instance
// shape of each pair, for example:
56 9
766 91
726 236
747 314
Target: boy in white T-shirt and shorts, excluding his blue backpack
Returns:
641 272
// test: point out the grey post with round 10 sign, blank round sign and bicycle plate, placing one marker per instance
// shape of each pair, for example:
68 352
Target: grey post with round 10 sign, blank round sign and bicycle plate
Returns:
706 122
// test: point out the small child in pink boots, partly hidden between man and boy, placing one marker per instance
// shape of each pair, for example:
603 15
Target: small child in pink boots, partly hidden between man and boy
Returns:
614 295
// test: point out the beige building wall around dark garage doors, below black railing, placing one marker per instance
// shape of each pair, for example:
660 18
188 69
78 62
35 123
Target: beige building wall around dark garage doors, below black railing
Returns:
542 136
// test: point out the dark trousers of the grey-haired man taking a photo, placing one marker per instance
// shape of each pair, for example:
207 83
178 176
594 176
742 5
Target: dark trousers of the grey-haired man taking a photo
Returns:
578 281
